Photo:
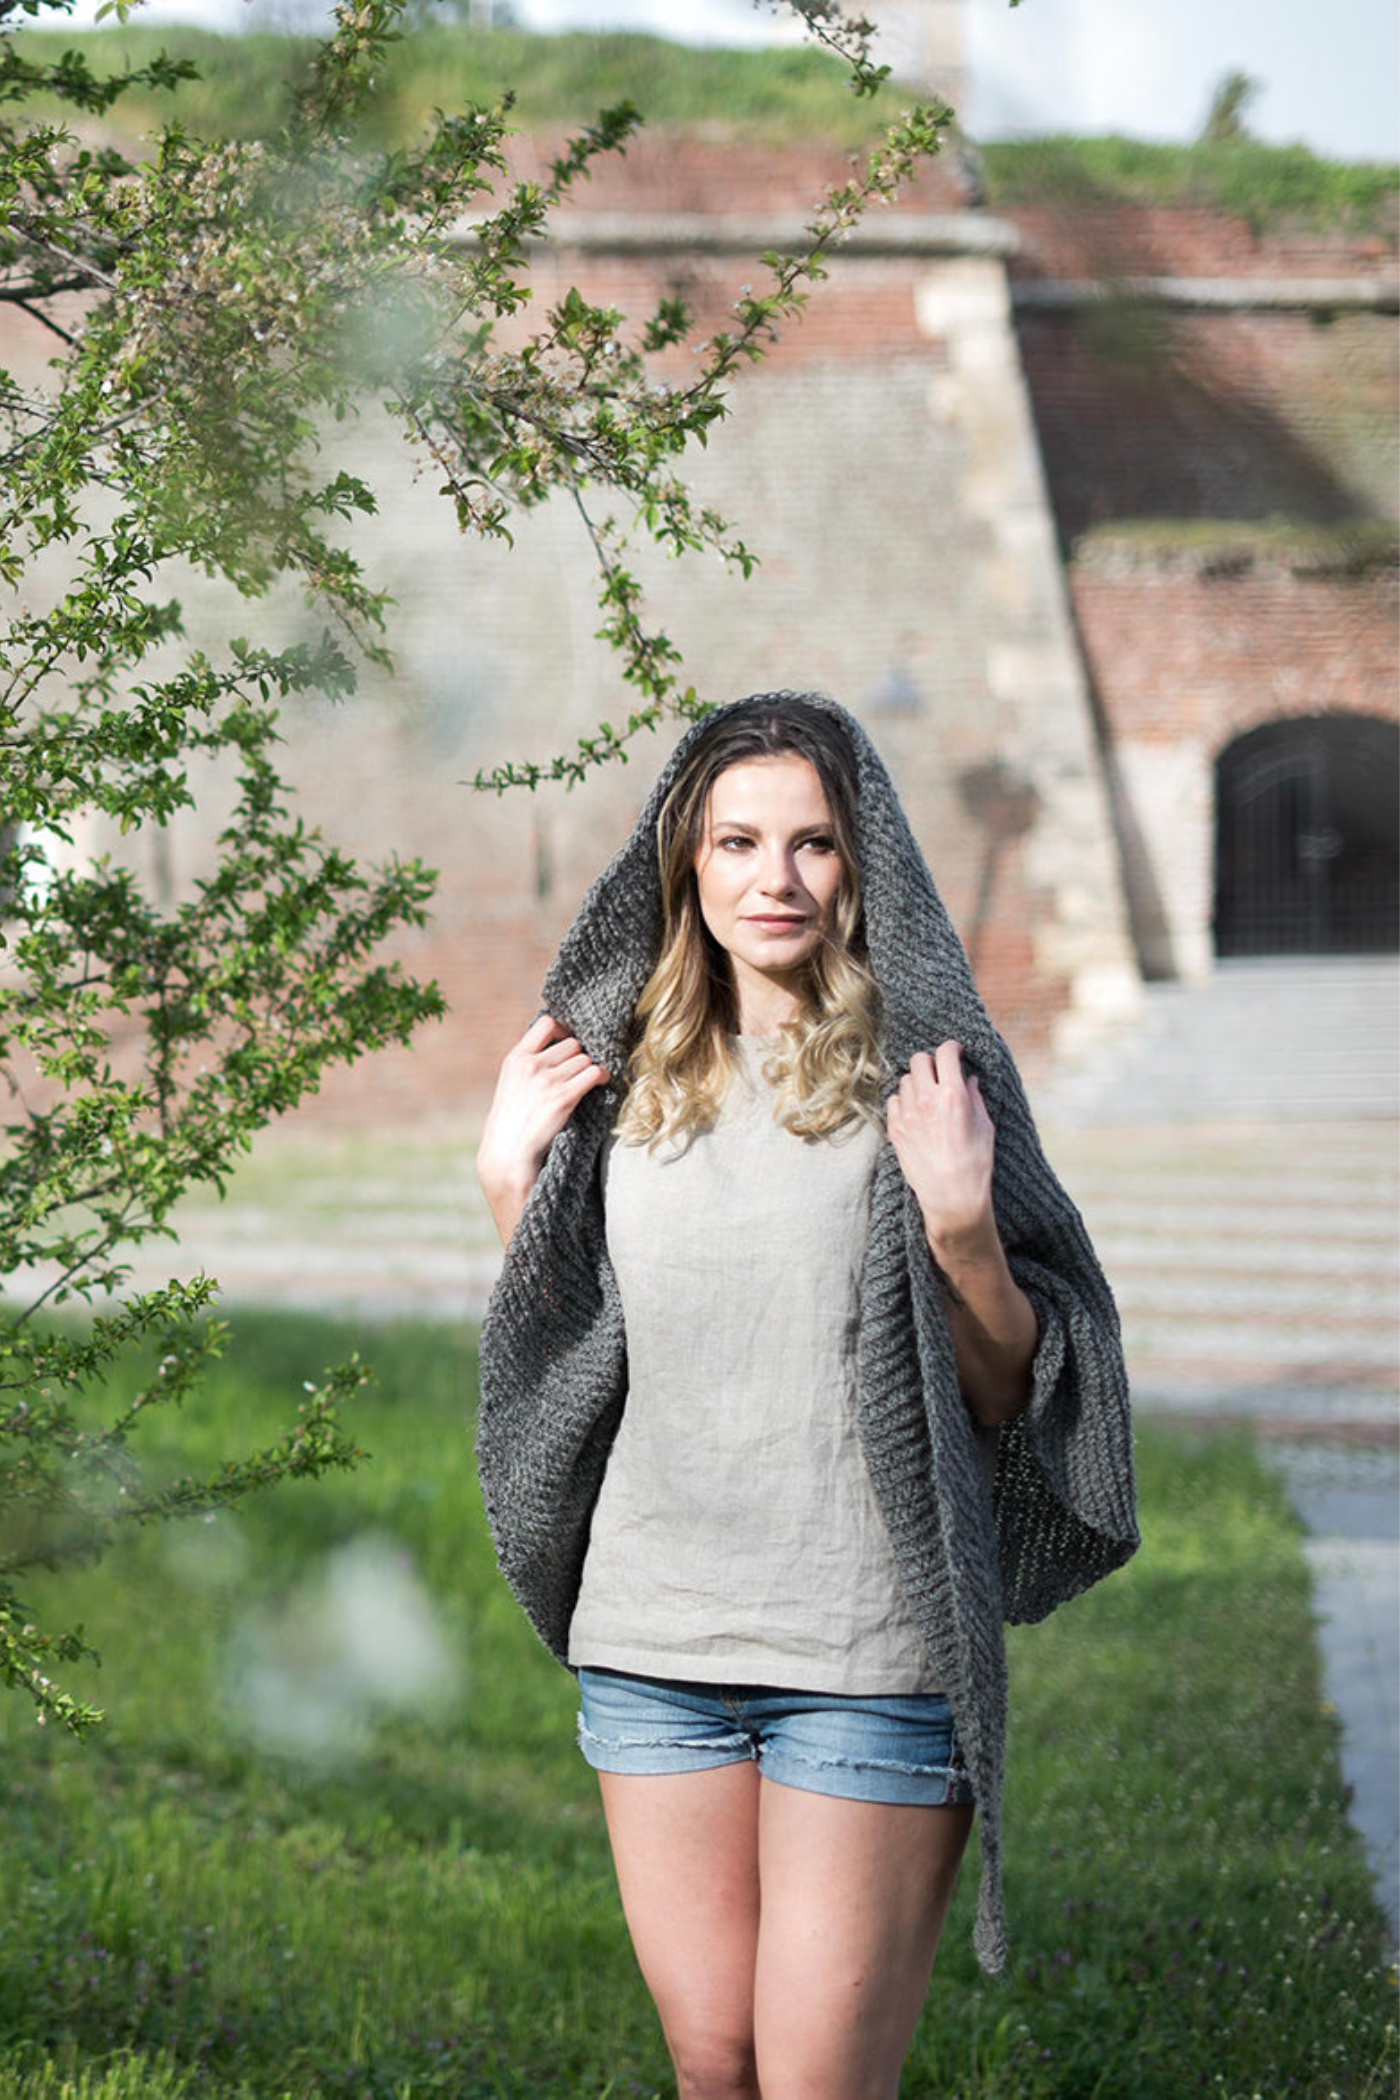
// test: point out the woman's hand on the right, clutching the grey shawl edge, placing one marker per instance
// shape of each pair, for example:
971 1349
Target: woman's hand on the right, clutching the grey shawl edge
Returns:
946 1146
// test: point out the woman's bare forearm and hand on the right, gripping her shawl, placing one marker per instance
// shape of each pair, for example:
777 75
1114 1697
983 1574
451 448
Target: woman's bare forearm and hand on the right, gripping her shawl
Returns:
946 1146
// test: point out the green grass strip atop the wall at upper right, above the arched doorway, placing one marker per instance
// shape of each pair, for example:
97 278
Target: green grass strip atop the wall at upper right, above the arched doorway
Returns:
1265 184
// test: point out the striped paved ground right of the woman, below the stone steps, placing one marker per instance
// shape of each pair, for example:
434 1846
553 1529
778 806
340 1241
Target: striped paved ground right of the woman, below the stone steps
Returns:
1254 1265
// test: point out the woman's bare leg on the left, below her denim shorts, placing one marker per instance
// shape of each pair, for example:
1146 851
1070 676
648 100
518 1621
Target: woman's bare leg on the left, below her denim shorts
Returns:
687 1866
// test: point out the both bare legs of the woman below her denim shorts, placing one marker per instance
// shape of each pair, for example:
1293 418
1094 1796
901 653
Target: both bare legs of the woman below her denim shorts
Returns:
786 1937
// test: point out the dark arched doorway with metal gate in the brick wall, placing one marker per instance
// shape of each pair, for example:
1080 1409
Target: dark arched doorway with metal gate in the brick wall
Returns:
1309 839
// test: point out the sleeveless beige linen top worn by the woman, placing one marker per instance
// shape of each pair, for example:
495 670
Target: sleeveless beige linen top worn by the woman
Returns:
738 1538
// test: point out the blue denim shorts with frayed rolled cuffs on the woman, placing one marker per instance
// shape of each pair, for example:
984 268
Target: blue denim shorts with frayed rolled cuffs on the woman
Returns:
885 1748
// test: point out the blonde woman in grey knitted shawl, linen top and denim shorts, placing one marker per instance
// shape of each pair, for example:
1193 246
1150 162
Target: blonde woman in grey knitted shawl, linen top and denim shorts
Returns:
782 1421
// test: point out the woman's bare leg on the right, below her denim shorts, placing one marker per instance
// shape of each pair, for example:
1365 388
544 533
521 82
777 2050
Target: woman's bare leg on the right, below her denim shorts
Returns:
853 1906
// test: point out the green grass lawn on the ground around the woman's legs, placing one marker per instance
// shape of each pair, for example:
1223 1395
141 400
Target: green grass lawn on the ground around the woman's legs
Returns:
335 1839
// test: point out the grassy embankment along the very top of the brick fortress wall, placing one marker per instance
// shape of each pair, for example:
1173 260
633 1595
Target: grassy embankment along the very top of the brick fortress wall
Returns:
771 96
